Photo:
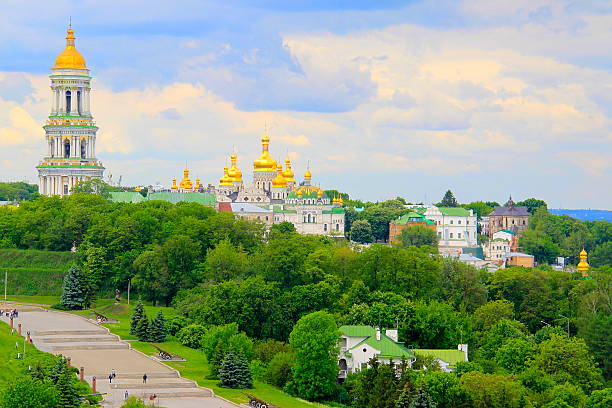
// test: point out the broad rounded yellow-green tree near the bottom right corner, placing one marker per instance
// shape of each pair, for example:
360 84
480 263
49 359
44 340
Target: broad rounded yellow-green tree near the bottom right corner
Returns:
568 360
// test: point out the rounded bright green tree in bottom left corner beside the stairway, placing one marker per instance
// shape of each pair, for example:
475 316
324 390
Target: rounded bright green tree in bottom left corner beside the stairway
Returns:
29 393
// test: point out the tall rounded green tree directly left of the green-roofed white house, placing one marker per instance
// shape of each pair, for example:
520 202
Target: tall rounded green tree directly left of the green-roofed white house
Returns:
315 341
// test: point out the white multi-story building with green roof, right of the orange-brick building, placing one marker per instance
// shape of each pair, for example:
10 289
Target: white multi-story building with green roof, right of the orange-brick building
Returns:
456 228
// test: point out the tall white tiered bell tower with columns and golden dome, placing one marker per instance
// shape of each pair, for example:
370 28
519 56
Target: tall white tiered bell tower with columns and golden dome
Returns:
70 131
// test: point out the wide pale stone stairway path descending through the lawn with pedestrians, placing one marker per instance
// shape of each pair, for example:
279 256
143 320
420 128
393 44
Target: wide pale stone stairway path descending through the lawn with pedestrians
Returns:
91 346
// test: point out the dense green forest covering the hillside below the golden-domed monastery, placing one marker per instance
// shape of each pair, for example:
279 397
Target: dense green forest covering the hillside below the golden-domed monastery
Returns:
234 284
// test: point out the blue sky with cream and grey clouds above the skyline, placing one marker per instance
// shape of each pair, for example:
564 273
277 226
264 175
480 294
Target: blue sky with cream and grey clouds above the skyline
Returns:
383 98
